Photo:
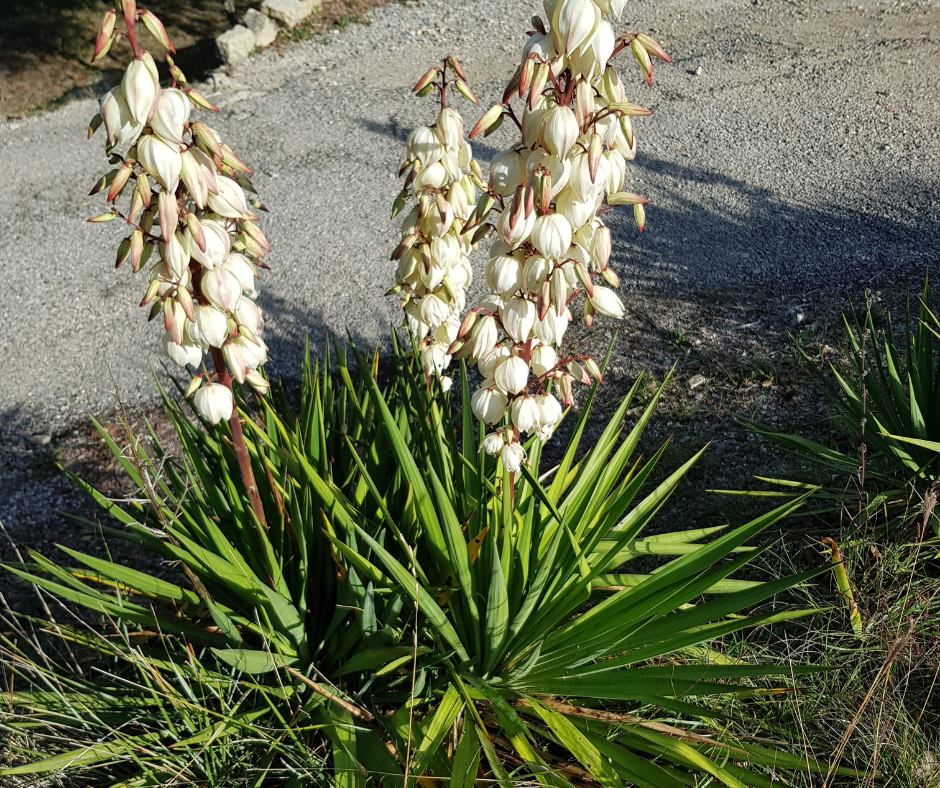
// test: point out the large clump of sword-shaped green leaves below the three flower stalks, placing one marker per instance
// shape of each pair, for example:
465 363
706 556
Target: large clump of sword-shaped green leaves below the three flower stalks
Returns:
411 611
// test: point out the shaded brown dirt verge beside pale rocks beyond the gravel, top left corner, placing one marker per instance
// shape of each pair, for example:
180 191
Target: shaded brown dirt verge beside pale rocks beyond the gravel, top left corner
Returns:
46 46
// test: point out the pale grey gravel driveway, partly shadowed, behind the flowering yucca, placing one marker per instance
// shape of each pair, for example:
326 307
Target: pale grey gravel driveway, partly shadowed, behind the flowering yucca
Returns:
793 158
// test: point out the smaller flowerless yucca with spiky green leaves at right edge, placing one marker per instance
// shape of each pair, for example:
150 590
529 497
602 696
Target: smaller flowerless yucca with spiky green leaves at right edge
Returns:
887 403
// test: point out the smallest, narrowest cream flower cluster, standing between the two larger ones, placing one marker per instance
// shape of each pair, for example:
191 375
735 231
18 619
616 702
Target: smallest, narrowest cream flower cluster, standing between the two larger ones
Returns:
433 258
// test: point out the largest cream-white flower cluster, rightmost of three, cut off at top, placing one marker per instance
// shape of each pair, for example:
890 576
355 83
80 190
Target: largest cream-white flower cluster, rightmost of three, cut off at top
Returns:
576 136
